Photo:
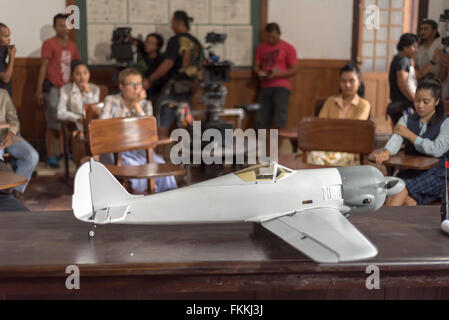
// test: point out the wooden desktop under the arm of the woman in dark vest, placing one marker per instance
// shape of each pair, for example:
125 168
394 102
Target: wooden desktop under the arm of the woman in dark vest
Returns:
403 161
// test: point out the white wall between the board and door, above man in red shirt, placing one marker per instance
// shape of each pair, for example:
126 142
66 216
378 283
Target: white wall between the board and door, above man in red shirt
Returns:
319 29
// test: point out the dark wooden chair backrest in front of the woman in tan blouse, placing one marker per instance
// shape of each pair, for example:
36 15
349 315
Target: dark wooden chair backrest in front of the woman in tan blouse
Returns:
340 135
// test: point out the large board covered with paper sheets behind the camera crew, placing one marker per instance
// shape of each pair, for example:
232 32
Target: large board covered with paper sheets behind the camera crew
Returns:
146 16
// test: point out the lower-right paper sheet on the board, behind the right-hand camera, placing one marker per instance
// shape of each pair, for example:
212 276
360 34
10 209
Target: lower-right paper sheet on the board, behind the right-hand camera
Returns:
239 45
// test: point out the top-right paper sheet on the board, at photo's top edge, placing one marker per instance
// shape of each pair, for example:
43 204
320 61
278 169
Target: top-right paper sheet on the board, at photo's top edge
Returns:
230 11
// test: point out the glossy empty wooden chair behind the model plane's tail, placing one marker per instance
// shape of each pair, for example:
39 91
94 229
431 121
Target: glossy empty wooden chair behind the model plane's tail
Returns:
127 134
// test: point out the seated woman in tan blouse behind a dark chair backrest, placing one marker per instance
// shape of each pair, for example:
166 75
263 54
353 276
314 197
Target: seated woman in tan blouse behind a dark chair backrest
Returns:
347 105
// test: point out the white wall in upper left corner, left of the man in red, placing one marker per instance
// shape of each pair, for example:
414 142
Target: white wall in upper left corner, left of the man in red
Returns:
30 22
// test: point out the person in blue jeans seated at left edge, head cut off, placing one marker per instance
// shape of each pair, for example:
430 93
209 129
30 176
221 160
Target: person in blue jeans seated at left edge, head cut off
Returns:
15 145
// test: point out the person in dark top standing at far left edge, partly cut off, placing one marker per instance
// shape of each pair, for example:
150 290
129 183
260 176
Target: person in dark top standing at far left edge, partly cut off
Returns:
6 50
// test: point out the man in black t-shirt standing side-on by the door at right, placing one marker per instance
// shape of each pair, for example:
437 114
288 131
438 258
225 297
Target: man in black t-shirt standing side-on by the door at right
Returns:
402 78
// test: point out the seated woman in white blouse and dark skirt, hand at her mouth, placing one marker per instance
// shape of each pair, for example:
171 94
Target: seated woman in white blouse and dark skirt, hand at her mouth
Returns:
72 97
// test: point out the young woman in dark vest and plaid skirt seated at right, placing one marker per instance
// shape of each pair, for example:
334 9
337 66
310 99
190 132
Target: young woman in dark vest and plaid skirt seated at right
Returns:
424 133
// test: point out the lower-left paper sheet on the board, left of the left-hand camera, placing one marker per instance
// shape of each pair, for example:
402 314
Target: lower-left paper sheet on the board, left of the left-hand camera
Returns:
99 43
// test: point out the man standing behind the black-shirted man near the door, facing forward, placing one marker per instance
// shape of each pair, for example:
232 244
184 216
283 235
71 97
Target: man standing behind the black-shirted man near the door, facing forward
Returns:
427 64
